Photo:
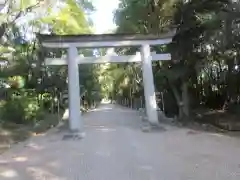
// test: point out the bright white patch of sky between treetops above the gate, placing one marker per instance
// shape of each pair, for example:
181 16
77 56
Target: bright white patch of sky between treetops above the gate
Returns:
103 17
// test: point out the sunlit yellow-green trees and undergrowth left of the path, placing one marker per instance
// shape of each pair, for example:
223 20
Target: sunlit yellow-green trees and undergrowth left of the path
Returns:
34 96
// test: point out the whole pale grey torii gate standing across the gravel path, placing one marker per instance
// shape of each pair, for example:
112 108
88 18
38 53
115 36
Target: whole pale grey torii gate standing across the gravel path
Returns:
72 42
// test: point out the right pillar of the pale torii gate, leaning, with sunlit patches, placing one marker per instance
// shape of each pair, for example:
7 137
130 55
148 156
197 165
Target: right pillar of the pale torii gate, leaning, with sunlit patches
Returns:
148 82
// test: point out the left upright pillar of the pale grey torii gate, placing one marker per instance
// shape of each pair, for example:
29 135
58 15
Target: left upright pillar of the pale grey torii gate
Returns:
75 120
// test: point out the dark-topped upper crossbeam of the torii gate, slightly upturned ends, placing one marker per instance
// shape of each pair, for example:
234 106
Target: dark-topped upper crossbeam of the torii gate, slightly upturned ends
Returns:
104 40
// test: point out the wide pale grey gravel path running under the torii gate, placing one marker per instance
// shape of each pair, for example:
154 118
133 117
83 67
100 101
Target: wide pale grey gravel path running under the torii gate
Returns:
115 148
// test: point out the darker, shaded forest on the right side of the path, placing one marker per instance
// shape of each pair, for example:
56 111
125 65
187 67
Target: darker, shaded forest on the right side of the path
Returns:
204 74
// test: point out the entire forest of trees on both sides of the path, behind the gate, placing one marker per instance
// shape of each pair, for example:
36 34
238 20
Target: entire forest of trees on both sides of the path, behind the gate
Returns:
201 77
